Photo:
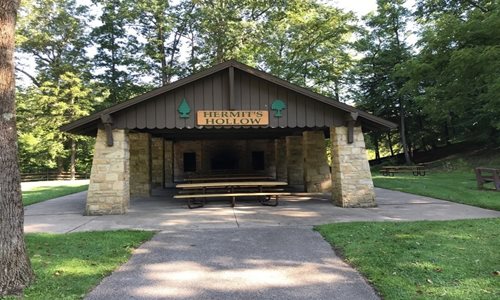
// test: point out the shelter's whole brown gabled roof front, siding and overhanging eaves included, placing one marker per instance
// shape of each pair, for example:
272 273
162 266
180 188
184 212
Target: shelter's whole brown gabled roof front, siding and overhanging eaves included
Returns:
226 86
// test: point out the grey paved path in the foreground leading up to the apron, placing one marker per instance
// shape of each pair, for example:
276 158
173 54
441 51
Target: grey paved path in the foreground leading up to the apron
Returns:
271 263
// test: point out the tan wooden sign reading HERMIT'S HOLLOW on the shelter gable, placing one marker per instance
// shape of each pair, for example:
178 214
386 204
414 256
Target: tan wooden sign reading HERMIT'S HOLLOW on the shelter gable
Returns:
232 117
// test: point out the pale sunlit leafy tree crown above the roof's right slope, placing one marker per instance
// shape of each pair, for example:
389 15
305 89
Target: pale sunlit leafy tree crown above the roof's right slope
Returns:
307 43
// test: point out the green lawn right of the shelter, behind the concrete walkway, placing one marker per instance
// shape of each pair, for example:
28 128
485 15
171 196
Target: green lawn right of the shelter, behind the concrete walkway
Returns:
456 186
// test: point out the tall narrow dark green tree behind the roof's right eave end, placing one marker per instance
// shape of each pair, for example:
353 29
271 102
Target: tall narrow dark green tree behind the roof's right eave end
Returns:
380 75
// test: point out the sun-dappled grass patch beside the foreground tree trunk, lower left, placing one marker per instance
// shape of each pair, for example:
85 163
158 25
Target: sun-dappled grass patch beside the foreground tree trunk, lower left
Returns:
68 266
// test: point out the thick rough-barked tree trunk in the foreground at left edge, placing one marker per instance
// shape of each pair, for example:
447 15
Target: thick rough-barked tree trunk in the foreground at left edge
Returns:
15 270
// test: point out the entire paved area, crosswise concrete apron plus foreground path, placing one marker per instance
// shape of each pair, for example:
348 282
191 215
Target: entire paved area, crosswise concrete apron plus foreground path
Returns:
246 252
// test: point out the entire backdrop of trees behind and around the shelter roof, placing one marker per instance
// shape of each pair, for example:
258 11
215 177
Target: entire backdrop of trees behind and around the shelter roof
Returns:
432 68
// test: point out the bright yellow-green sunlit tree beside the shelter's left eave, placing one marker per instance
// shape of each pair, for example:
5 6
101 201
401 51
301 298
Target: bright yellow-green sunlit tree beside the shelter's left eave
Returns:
43 109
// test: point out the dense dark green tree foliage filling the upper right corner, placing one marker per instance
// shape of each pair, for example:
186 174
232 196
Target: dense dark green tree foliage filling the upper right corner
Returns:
456 74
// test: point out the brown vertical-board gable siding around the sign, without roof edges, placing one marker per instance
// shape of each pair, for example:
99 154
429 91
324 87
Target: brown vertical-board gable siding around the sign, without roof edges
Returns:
212 93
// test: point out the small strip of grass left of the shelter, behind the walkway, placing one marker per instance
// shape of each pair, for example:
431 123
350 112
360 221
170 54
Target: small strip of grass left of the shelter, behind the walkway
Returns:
42 193
